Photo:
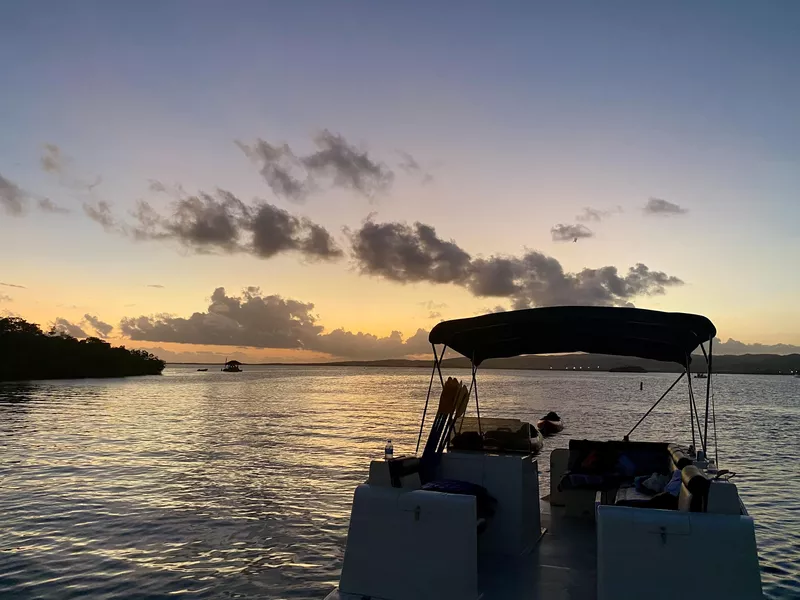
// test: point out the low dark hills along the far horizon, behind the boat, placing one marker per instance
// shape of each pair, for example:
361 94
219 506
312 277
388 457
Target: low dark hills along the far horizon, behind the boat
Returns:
759 364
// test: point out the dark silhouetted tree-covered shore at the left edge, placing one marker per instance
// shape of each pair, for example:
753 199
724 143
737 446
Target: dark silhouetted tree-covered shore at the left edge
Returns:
26 352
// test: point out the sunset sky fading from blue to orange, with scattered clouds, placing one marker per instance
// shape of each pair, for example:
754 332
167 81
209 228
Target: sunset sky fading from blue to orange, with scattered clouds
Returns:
299 180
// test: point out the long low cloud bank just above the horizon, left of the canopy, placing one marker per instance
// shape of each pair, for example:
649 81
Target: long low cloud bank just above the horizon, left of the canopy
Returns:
267 321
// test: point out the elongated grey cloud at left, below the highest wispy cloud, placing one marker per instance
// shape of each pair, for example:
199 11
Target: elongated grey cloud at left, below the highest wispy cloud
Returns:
221 223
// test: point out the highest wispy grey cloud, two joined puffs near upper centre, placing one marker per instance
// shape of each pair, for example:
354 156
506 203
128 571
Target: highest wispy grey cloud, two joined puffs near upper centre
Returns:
336 163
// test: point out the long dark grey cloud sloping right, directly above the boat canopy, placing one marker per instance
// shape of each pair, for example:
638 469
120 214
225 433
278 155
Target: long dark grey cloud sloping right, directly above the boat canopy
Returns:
404 253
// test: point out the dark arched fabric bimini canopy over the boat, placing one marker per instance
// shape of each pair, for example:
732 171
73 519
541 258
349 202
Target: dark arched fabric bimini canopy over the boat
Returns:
651 334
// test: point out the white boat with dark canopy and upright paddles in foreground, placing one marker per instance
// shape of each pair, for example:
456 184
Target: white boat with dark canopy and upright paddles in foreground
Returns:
464 521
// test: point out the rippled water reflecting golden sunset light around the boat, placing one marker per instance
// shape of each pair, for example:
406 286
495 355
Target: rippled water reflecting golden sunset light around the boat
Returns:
217 485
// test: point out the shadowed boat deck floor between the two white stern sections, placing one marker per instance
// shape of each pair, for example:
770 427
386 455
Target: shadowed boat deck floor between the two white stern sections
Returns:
562 565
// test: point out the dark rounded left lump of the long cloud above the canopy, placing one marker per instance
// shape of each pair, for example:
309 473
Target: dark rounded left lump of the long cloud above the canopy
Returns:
405 253
